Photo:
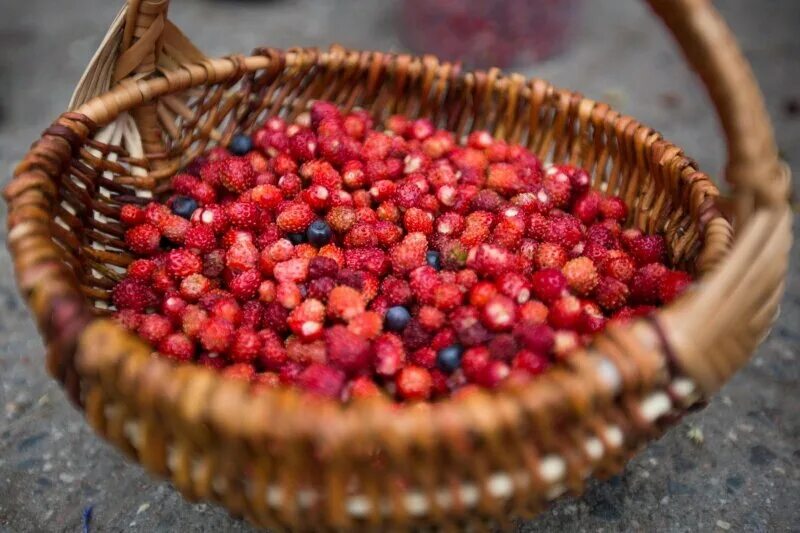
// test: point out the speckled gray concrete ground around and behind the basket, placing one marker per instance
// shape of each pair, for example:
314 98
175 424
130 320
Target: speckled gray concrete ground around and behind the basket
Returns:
744 475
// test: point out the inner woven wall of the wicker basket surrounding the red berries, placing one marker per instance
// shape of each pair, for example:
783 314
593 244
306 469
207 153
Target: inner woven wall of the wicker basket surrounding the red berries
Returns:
622 156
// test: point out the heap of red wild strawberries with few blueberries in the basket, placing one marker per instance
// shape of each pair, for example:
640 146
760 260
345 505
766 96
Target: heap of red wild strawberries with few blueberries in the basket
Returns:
351 262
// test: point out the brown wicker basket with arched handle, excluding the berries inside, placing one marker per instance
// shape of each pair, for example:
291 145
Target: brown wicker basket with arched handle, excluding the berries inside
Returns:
150 102
